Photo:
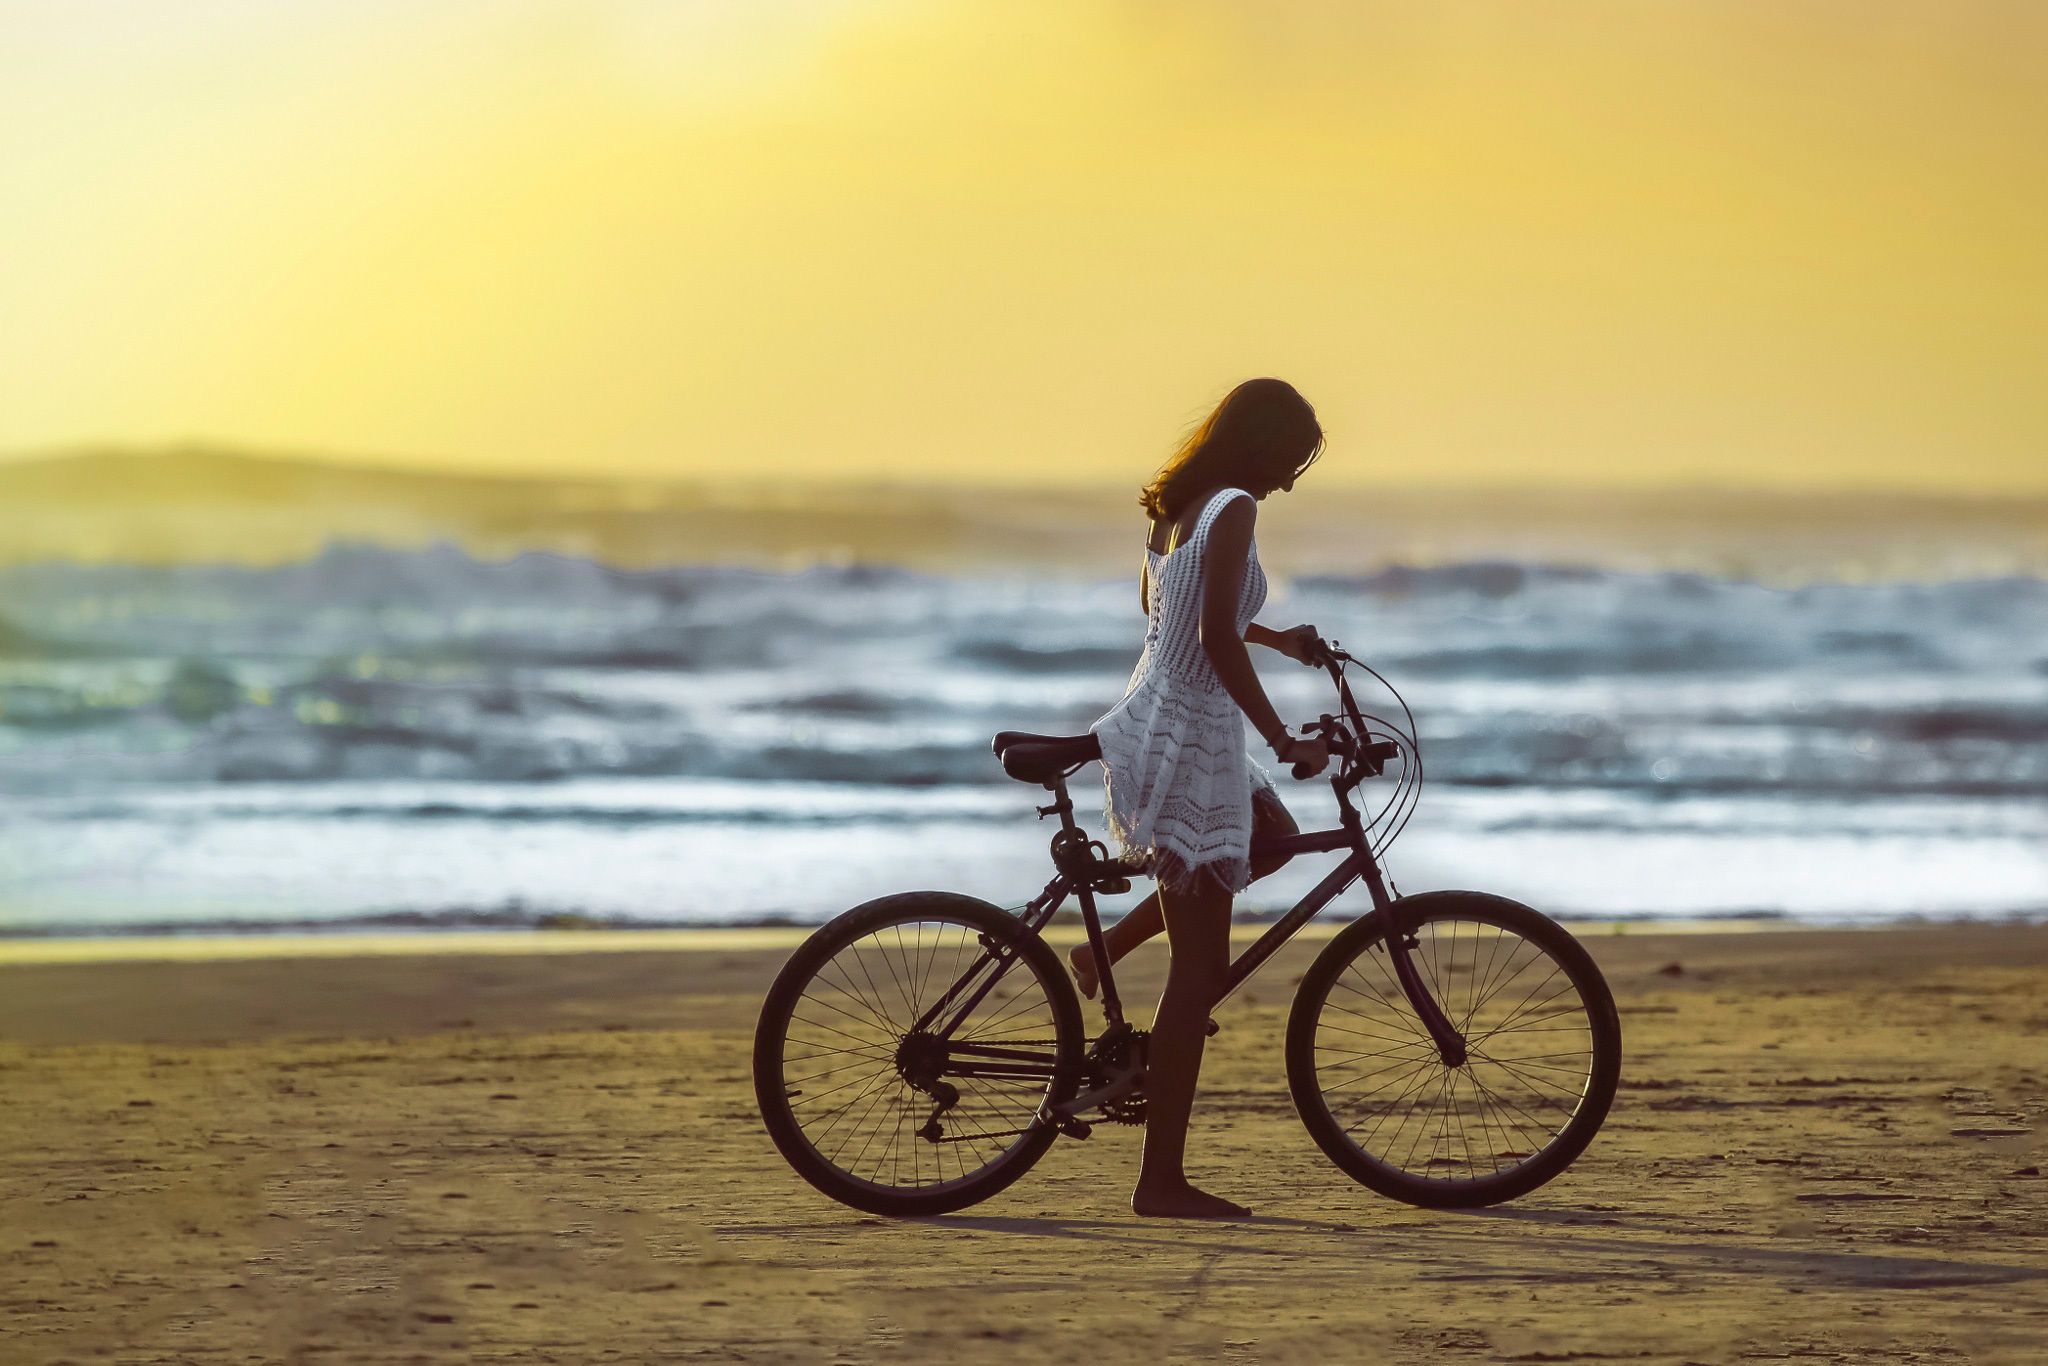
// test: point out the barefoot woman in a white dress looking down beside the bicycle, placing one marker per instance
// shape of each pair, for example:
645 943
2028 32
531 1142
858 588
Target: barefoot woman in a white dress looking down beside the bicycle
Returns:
1181 787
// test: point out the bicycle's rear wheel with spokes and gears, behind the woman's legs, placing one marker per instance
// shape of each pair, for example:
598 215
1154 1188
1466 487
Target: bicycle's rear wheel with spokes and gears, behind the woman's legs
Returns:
896 1119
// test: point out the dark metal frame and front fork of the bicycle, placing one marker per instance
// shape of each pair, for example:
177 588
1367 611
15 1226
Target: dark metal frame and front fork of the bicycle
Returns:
1082 873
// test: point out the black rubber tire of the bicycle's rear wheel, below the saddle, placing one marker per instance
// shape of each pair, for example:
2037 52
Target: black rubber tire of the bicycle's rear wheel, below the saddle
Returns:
779 1011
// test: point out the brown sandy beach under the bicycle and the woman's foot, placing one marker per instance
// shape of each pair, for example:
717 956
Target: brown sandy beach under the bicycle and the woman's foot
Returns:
1828 1146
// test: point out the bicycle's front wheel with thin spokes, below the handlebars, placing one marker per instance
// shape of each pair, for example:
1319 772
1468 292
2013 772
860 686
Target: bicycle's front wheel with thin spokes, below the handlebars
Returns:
1543 1041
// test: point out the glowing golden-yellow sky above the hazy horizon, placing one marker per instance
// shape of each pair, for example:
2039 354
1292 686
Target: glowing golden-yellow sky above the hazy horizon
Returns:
1644 241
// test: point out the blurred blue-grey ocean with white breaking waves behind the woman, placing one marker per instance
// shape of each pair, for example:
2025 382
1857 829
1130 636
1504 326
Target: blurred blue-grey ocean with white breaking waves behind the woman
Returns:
382 738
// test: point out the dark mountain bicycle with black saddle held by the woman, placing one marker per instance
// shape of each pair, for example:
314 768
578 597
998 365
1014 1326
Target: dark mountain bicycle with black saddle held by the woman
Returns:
1449 1050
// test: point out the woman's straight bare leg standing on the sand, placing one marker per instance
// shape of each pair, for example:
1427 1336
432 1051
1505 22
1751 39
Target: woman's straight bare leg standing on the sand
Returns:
1199 929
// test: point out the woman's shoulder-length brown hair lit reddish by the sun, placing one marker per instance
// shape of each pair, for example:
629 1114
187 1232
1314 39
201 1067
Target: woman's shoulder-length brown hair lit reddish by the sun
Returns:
1261 437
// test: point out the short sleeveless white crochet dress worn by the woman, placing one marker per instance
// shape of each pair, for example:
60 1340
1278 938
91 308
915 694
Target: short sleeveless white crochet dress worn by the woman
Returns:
1175 759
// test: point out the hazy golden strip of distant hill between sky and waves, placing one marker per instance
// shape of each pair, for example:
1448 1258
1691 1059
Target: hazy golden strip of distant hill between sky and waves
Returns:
202 505
